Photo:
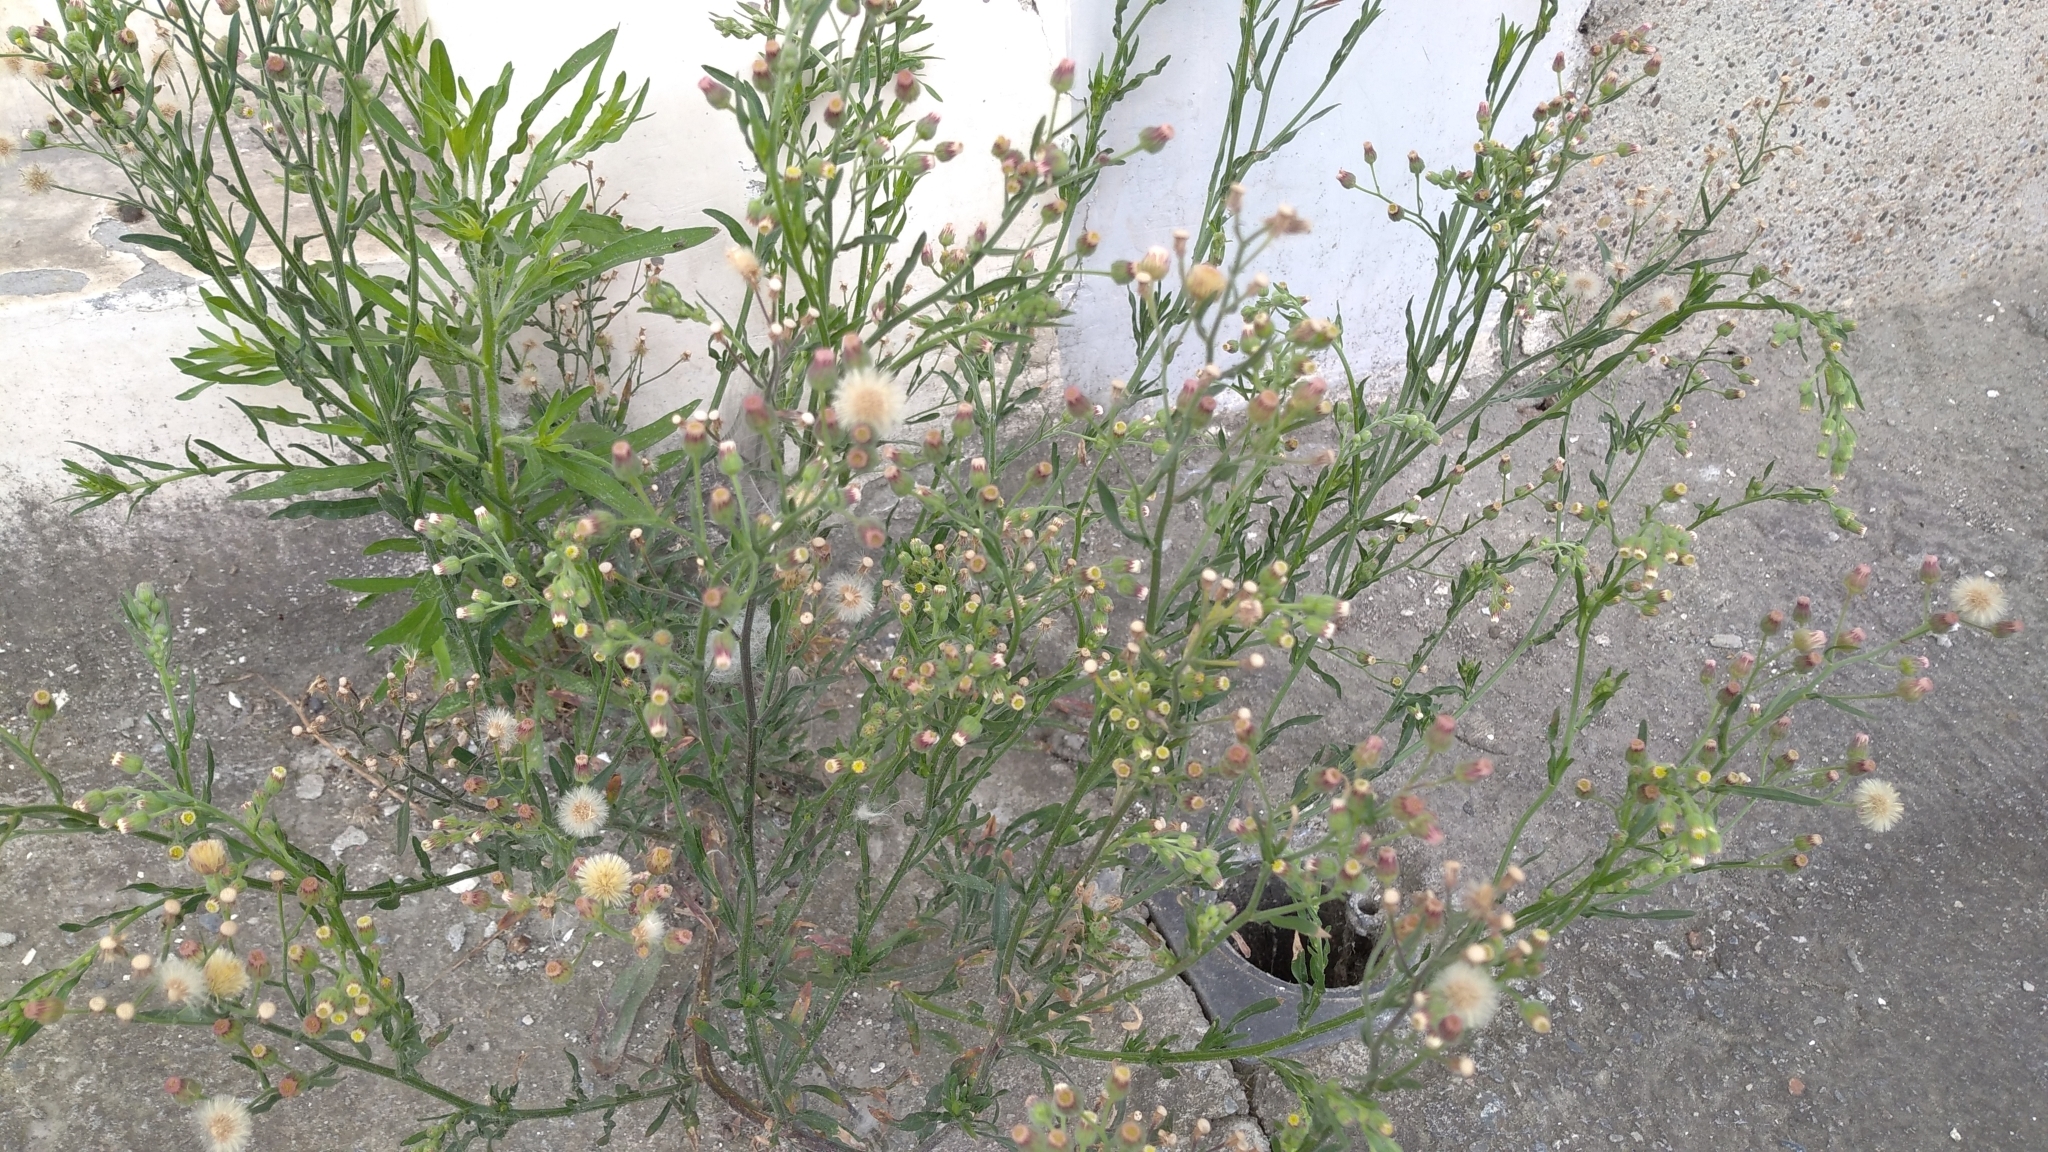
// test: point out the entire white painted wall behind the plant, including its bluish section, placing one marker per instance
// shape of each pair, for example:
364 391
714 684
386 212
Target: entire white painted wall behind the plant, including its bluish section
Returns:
93 364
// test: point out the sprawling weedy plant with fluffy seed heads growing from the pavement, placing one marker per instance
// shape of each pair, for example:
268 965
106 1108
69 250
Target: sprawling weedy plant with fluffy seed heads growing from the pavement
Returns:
738 694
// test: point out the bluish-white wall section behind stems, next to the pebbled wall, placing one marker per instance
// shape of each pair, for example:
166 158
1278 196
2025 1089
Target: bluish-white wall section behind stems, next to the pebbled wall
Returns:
1414 83
